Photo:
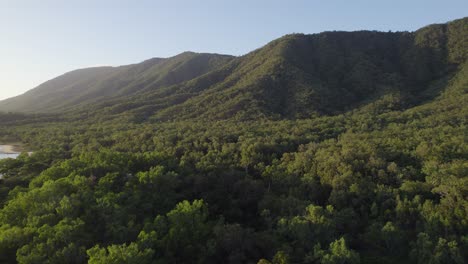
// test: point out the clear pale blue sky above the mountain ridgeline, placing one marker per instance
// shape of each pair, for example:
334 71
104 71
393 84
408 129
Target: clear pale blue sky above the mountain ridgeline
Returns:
41 39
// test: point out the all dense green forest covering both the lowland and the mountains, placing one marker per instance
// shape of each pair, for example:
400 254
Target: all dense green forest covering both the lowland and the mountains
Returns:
338 147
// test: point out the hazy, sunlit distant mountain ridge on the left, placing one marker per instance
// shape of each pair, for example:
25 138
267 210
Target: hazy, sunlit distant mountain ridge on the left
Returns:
93 85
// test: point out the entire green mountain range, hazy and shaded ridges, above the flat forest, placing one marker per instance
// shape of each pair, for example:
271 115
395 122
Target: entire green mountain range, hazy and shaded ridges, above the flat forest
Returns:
296 76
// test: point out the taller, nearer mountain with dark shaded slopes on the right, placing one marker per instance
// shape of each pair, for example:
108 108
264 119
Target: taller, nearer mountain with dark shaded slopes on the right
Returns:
331 72
